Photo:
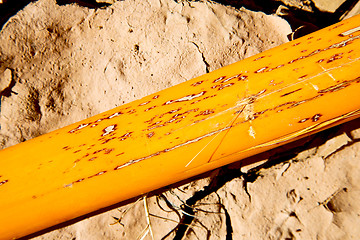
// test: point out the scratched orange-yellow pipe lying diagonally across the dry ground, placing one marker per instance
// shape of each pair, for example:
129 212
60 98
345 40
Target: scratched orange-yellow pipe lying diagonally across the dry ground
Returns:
243 109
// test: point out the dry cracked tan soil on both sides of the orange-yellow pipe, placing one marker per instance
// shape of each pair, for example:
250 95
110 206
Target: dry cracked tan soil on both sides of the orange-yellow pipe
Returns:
61 64
